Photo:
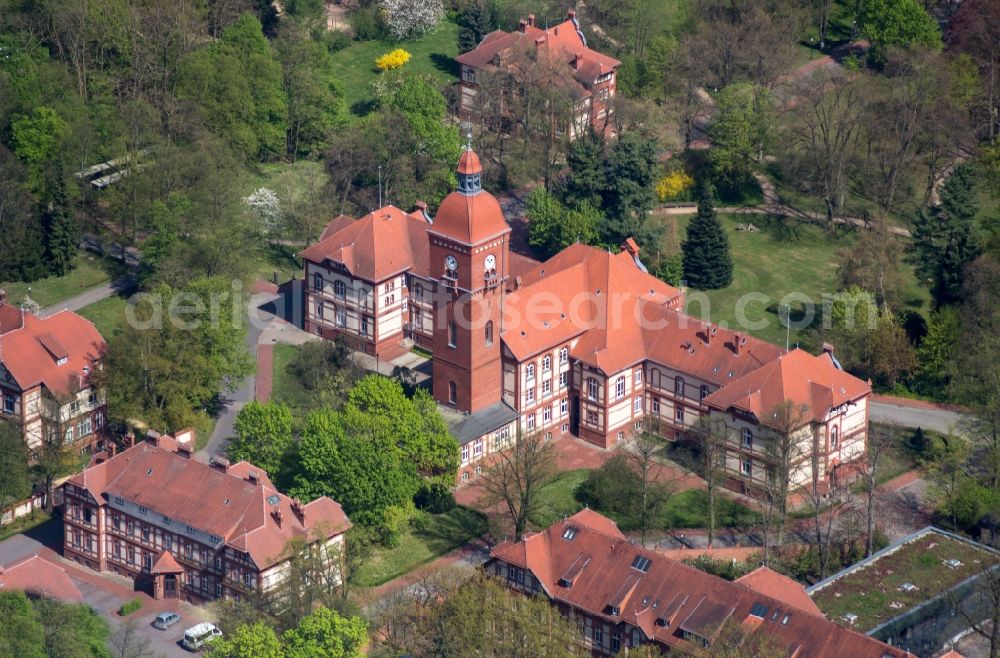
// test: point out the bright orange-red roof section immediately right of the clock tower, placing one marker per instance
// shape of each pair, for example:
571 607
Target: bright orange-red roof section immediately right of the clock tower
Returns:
590 294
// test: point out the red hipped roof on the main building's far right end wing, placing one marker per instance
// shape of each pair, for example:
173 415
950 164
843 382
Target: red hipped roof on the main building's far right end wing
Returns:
811 382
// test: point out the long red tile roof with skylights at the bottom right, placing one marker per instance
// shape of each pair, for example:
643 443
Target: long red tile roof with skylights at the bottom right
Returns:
667 595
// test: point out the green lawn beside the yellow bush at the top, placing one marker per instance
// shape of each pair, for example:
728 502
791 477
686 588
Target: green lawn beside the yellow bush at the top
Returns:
433 54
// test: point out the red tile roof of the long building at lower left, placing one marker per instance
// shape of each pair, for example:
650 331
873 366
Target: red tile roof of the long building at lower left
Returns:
238 504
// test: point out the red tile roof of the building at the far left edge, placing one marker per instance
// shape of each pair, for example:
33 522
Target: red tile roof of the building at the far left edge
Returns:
32 353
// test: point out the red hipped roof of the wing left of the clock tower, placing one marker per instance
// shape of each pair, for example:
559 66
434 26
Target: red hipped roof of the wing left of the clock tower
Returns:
379 245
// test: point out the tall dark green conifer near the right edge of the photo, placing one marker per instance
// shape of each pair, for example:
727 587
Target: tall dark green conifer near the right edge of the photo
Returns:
944 239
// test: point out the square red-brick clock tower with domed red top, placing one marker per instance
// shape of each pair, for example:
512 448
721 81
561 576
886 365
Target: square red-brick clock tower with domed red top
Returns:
469 256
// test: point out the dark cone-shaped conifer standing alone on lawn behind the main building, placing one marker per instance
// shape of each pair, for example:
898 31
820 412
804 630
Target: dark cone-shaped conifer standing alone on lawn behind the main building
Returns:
707 262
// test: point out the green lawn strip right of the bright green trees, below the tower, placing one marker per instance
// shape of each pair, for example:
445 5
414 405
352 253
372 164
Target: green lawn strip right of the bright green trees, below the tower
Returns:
430 536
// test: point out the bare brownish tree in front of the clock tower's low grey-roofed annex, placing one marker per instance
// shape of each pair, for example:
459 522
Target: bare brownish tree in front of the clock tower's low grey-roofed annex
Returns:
516 476
